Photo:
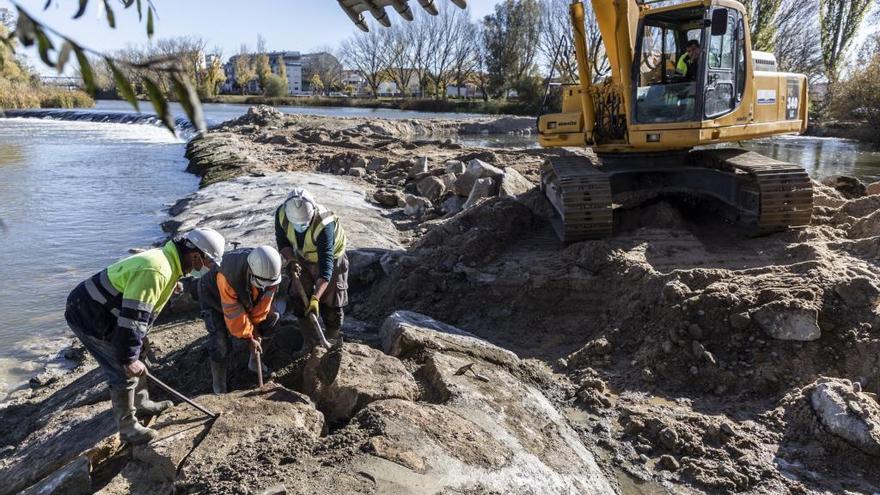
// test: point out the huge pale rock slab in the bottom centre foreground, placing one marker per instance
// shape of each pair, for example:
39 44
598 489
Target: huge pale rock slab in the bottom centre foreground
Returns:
484 430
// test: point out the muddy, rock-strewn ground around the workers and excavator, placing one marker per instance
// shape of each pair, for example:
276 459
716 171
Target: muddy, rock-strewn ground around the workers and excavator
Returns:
682 355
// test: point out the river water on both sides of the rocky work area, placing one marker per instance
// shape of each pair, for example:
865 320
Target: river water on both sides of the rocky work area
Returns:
76 195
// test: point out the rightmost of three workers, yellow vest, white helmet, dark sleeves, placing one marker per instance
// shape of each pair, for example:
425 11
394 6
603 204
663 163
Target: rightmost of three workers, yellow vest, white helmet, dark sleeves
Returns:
312 241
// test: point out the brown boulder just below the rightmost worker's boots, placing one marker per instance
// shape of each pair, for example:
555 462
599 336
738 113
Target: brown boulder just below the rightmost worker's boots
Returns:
344 381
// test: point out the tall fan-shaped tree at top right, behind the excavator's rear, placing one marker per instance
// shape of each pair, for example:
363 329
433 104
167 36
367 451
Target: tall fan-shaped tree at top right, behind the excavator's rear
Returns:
839 22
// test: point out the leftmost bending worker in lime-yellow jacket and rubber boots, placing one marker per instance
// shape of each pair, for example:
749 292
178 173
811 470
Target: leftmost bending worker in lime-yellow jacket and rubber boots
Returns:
112 311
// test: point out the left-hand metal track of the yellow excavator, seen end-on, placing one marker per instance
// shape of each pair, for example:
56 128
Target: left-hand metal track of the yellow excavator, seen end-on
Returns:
581 195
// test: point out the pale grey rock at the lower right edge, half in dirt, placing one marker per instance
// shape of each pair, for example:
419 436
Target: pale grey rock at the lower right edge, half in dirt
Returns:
848 414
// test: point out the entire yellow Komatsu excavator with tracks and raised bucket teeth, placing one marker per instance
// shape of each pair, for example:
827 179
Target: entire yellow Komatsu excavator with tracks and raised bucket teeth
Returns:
683 76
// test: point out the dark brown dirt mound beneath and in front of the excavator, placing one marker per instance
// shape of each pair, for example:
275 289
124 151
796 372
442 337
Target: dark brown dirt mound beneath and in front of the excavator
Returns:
683 309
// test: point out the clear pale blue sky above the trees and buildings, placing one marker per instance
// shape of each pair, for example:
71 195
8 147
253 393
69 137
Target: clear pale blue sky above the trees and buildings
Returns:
294 25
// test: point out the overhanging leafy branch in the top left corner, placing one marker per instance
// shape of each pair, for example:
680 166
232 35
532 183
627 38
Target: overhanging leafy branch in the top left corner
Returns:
29 32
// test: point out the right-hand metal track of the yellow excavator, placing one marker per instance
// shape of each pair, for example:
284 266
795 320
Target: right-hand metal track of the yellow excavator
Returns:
785 190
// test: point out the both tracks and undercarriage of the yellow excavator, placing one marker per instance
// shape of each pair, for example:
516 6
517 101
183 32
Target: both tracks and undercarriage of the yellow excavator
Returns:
766 195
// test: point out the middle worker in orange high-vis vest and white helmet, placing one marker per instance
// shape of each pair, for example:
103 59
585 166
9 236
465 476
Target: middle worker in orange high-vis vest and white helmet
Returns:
236 301
